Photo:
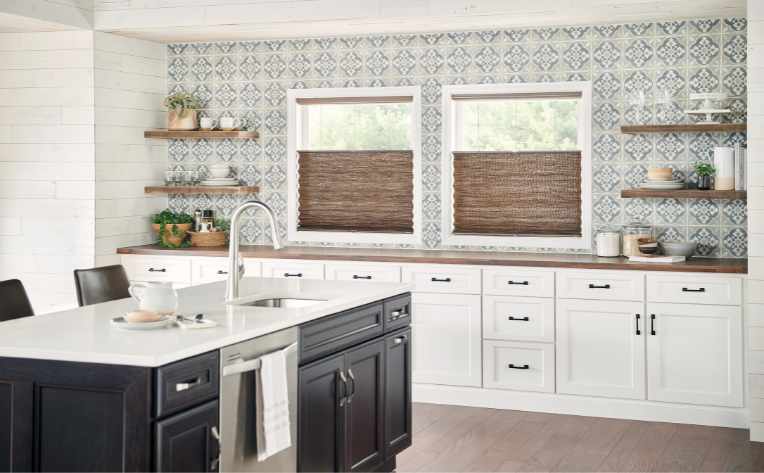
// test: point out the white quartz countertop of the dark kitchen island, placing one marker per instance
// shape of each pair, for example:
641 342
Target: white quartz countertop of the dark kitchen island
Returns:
87 335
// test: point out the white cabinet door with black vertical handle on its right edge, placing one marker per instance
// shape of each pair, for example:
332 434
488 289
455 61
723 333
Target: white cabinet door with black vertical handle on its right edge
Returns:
601 348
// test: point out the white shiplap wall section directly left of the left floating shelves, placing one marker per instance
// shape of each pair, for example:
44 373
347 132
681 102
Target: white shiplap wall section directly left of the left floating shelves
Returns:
129 88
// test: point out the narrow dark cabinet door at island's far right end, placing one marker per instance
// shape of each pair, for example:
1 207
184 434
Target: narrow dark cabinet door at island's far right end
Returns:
398 392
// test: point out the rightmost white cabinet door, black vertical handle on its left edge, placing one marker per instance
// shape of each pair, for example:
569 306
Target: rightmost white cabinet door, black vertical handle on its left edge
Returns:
695 355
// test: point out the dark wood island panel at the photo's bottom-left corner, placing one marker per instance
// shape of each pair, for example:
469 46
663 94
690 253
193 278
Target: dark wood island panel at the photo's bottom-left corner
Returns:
16 429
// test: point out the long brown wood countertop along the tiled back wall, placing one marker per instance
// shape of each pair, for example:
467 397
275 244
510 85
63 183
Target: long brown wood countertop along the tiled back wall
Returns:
481 258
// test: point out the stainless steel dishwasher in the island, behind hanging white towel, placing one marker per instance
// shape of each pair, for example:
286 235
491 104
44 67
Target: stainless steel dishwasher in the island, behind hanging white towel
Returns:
238 431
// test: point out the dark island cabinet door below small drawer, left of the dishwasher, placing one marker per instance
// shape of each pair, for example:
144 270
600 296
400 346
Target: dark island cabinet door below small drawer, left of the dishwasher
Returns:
187 442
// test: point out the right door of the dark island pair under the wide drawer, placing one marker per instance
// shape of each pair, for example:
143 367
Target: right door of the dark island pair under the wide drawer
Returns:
365 406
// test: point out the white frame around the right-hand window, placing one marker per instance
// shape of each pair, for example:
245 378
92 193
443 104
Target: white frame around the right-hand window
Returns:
452 126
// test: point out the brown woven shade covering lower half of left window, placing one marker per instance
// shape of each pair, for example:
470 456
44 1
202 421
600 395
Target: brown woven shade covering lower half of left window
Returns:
360 191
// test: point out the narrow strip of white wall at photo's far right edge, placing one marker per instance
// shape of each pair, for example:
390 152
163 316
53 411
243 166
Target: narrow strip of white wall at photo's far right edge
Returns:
755 284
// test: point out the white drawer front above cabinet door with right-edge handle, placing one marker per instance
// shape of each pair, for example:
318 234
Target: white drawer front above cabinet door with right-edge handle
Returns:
601 285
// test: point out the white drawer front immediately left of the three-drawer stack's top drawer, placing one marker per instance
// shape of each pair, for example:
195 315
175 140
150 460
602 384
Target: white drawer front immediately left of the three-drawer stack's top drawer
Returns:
453 279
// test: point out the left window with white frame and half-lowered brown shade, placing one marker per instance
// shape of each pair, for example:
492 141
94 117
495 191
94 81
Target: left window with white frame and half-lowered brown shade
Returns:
354 165
